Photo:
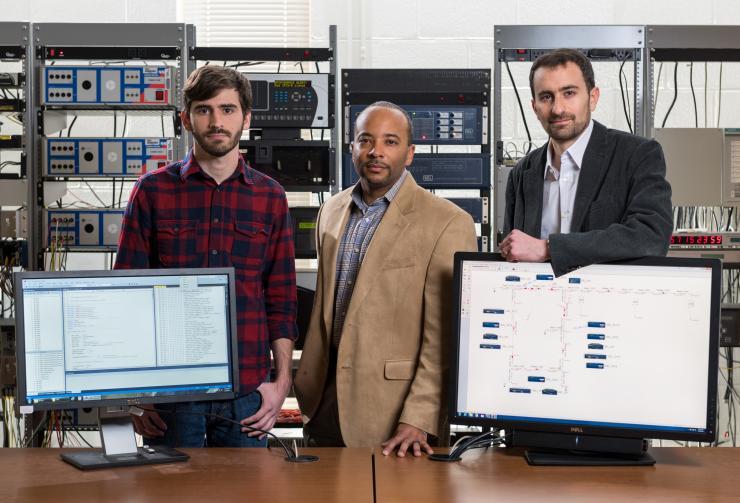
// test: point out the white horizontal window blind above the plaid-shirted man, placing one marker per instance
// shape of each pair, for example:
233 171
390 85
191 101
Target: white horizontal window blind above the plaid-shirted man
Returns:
248 23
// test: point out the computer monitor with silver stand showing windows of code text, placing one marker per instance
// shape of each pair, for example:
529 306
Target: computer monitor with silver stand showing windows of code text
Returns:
123 338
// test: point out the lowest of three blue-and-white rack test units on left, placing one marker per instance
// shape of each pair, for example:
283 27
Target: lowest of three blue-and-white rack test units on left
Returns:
82 228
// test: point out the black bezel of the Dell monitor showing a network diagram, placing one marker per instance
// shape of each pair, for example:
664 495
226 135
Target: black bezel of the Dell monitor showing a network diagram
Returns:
575 427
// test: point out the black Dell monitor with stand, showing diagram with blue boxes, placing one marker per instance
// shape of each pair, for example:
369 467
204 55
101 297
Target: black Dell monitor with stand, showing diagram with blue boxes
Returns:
585 367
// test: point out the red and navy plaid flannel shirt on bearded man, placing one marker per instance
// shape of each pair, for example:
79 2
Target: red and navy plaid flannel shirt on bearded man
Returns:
177 216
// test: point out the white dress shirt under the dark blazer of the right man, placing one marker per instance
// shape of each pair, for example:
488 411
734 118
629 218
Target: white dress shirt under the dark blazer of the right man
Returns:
559 190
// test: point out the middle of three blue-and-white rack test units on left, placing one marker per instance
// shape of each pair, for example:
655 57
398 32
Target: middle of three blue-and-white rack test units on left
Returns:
105 157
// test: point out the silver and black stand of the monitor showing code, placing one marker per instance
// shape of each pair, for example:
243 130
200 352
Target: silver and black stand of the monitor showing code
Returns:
119 445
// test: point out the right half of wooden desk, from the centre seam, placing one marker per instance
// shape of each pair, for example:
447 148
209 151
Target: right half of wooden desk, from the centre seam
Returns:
681 474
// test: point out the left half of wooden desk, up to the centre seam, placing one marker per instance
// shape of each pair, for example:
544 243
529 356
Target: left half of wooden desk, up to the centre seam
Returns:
262 475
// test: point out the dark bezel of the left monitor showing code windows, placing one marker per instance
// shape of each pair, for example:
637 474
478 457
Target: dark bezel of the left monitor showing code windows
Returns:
127 401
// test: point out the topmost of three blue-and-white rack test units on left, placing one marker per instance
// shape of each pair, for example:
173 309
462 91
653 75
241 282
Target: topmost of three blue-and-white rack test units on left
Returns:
108 85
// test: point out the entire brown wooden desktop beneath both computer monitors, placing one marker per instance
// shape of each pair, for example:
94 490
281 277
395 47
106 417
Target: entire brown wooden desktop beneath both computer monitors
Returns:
341 475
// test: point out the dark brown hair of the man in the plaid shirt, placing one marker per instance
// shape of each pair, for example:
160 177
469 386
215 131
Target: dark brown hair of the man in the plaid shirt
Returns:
207 81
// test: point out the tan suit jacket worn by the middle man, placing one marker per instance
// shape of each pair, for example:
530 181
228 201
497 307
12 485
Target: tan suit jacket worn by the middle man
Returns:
392 358
